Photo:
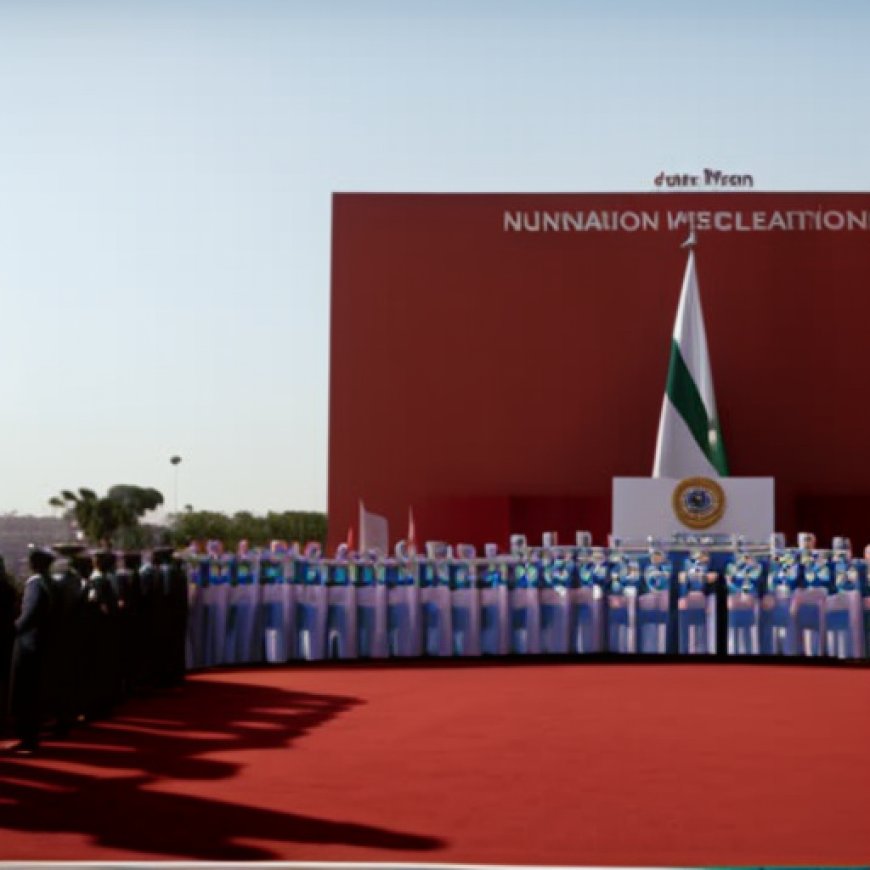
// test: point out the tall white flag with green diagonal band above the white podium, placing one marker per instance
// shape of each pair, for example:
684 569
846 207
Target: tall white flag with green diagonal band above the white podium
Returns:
689 439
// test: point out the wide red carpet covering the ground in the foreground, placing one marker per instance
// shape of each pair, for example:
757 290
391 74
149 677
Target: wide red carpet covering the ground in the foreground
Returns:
522 764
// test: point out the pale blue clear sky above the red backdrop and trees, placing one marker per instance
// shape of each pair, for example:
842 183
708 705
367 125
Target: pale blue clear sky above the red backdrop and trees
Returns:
166 171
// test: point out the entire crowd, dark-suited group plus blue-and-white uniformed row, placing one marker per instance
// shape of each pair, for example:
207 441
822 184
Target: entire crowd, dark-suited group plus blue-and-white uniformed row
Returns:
92 628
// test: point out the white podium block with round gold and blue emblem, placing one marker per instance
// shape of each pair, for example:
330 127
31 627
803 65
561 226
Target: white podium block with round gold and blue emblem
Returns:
663 508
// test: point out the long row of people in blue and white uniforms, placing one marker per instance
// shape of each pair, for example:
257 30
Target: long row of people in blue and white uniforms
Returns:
283 604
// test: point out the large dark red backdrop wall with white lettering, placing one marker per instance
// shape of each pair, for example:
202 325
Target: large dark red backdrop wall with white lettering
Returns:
497 359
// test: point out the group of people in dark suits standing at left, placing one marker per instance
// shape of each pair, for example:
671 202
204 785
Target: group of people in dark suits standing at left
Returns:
87 630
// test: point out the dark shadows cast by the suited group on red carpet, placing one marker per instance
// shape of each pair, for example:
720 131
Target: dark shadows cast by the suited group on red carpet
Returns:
106 784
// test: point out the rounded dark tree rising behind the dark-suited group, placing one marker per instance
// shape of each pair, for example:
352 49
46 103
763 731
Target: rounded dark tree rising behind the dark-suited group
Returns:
112 519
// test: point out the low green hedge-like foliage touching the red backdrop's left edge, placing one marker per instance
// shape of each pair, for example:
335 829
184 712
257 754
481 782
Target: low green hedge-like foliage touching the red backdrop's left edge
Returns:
258 531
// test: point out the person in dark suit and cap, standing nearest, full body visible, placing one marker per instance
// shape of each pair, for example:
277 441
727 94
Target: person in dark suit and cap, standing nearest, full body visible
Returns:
32 638
